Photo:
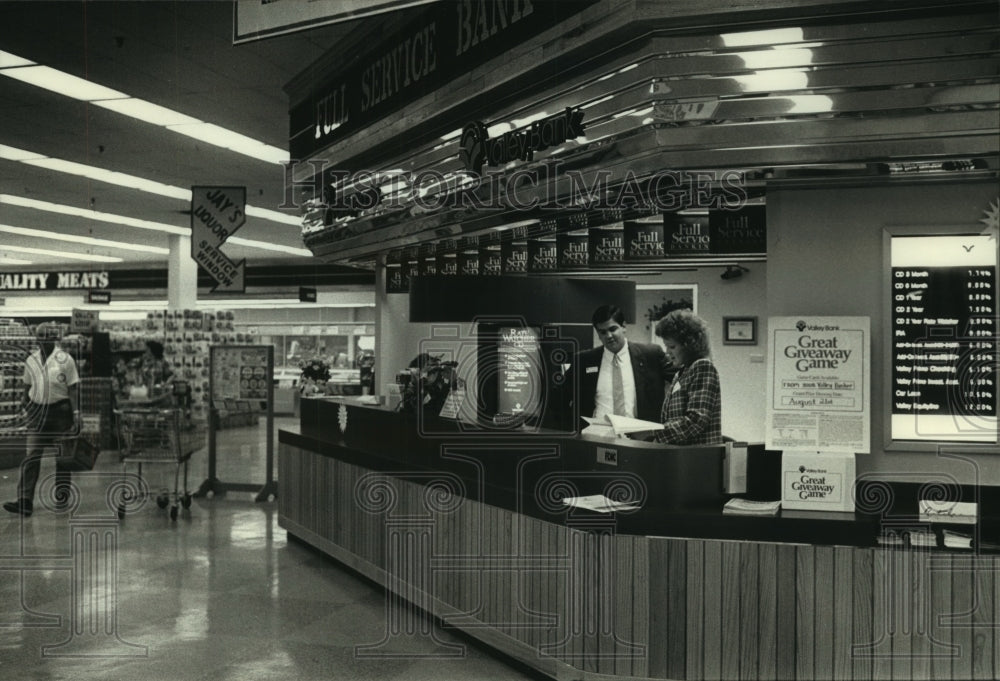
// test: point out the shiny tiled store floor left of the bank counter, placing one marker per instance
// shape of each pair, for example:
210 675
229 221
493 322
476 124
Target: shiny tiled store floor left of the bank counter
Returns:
219 594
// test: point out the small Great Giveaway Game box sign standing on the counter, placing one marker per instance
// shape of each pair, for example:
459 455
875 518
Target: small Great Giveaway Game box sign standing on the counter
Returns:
817 482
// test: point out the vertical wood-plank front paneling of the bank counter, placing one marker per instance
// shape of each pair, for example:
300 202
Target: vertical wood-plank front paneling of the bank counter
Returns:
576 599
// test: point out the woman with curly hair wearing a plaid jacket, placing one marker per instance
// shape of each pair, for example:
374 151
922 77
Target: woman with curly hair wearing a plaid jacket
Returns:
692 409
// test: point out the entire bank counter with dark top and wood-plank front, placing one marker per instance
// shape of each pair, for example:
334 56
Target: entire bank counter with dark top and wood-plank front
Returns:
470 526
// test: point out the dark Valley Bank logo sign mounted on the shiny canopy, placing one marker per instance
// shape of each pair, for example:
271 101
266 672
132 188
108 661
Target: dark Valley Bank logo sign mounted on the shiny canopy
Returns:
478 149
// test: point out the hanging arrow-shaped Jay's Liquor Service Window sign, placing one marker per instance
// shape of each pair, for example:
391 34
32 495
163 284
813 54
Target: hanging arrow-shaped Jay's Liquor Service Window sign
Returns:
216 214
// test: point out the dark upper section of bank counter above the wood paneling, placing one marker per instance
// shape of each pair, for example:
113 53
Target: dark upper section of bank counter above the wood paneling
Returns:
680 487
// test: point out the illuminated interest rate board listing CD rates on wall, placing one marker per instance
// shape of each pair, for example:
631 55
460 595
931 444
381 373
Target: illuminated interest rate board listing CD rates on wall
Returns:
943 295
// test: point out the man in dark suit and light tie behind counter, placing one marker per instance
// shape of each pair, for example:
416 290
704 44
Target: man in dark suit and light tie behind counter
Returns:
619 377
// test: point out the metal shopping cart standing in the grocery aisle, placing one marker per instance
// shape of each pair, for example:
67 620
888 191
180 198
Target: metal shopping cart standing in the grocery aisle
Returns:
160 436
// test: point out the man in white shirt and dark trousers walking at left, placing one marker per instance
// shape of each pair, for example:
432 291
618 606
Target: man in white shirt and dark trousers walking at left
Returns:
50 378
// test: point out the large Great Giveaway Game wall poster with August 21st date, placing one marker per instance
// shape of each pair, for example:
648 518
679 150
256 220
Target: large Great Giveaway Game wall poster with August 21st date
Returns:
818 388
